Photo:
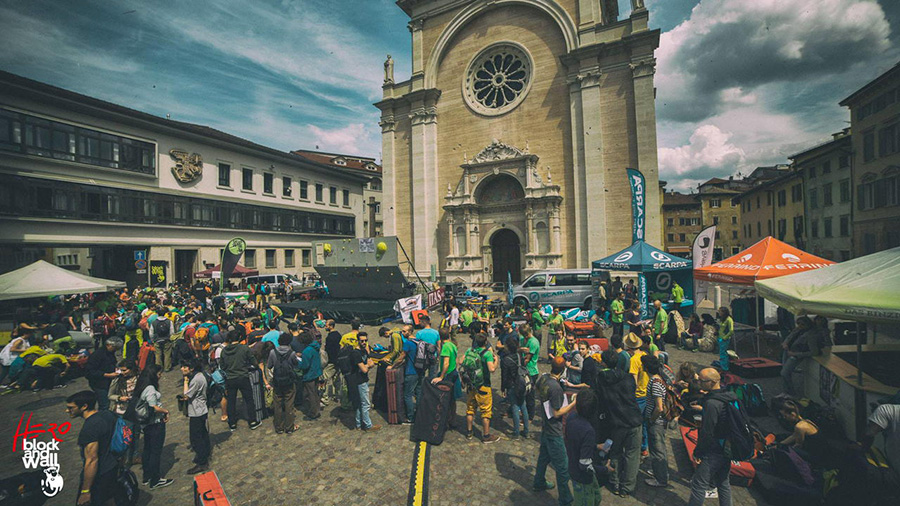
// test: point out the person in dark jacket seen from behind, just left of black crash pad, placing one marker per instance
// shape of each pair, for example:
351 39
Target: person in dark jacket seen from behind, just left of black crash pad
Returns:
236 362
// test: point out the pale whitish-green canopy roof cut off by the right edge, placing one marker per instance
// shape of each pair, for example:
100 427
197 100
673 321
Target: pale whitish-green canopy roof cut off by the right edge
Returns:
863 289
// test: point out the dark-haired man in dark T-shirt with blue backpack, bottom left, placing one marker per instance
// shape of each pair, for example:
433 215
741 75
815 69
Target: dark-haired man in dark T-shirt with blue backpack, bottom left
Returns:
99 467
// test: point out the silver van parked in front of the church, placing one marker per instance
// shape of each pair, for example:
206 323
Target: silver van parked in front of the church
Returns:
561 287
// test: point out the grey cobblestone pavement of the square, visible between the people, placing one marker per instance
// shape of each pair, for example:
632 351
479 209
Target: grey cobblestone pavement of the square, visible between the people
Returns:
326 463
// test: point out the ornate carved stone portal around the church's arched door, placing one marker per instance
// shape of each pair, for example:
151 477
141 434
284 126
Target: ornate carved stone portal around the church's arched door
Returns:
500 191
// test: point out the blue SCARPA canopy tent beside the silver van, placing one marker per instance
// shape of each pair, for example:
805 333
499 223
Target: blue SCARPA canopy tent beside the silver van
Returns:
656 269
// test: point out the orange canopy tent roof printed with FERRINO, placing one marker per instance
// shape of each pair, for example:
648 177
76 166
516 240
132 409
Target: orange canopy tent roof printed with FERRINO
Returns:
769 258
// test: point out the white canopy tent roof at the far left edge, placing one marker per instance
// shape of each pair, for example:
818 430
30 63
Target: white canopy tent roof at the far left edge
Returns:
43 279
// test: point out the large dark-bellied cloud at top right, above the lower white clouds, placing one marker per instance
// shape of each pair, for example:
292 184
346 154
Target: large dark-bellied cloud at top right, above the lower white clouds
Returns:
730 45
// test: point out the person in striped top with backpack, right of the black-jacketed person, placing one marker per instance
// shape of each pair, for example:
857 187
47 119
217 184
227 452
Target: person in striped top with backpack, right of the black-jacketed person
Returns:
654 414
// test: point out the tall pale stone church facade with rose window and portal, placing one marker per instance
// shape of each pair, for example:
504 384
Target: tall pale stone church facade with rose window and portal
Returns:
506 150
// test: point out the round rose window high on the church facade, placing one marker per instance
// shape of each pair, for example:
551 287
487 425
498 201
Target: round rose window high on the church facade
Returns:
498 79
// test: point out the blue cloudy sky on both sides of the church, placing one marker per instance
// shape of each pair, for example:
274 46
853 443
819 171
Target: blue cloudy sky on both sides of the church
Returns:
741 83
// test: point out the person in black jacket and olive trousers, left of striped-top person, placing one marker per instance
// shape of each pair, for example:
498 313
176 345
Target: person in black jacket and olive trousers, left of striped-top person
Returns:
615 391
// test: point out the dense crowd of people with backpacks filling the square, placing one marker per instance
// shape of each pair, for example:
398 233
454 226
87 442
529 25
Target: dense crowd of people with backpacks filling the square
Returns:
599 413
